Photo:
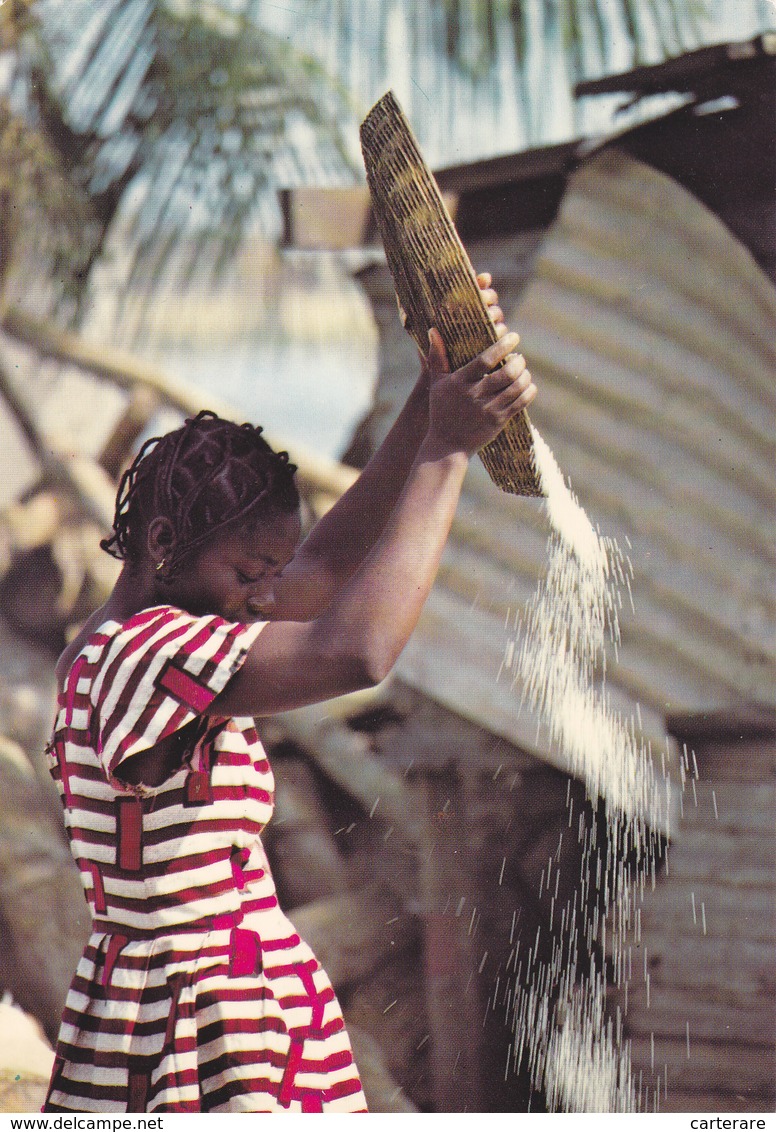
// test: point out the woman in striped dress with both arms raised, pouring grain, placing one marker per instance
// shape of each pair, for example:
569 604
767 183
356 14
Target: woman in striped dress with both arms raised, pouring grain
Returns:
195 993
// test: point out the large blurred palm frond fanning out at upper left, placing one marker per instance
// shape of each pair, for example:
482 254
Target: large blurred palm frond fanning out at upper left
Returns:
194 108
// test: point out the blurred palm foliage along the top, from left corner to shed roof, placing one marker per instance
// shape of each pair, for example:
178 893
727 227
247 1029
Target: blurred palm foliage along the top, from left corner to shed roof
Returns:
174 117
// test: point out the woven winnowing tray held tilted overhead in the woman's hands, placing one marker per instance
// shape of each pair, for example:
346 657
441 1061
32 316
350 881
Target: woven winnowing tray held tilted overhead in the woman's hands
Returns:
436 285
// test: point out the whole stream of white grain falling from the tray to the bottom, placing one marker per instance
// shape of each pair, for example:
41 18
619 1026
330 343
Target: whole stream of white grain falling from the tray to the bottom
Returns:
557 661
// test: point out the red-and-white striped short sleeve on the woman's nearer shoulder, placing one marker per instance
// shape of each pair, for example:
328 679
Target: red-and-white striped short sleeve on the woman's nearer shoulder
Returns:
158 674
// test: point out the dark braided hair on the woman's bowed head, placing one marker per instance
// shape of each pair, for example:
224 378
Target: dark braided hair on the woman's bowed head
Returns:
203 477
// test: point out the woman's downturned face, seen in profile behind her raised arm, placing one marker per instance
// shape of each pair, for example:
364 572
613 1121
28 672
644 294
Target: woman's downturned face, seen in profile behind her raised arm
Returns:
236 574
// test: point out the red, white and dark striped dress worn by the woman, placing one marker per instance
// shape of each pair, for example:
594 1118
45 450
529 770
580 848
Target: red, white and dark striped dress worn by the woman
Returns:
194 993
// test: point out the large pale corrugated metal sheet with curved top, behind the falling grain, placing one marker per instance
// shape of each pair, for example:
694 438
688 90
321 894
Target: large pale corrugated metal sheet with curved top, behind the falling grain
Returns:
651 331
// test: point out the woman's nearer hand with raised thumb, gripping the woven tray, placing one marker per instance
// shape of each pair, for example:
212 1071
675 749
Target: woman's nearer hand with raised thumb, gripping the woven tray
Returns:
471 407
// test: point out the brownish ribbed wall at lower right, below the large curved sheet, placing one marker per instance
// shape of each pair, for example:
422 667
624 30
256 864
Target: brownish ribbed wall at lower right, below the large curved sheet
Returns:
708 1024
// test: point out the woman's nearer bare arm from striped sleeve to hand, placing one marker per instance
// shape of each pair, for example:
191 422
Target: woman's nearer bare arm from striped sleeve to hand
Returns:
358 639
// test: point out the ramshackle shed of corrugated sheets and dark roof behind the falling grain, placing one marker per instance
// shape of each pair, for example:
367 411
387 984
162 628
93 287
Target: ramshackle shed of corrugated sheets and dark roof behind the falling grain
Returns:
640 273
